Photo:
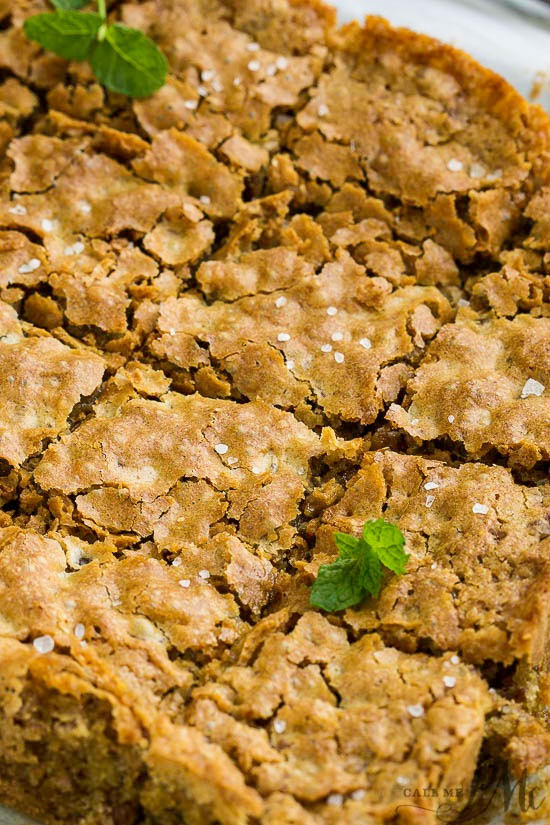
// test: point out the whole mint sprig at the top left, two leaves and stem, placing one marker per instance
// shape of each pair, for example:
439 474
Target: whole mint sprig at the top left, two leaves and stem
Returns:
123 59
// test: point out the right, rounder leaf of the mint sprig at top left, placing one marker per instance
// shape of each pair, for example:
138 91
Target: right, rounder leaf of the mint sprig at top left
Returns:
127 61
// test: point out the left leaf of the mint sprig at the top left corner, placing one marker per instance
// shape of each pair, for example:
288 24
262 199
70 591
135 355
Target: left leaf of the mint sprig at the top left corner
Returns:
69 34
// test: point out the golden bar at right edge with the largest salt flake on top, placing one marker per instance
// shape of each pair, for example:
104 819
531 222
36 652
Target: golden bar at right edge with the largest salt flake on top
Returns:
470 387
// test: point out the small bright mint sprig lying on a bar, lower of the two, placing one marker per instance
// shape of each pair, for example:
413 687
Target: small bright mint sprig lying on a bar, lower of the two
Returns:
357 572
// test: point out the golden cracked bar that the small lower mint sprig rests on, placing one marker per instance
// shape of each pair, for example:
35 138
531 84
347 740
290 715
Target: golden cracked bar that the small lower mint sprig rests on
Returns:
476 582
